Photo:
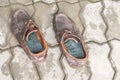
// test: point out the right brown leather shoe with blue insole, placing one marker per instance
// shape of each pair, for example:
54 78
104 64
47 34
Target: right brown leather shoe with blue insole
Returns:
70 40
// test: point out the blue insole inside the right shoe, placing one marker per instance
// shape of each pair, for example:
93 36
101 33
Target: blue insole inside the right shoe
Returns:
75 48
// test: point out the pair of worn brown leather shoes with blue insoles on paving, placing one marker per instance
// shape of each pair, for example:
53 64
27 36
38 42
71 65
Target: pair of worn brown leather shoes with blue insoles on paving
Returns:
34 44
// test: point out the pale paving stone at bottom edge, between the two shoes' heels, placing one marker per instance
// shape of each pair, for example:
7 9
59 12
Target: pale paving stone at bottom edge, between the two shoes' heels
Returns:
50 69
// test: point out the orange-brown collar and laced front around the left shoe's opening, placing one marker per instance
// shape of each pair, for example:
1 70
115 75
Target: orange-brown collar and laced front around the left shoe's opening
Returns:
31 27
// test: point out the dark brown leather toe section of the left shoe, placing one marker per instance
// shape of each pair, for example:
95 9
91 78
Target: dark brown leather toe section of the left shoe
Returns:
18 25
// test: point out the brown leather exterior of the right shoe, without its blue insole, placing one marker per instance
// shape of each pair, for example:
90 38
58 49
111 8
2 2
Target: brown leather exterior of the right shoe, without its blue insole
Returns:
64 27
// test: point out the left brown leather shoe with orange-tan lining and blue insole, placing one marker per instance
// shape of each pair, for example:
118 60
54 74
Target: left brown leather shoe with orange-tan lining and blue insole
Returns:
28 35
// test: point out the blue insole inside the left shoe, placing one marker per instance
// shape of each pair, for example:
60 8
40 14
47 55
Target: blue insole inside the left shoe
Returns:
34 44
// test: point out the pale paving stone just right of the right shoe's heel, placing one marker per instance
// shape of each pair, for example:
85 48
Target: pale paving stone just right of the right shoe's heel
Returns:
98 56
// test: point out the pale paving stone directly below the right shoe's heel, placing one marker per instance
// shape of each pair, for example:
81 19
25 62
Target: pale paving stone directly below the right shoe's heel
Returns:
75 74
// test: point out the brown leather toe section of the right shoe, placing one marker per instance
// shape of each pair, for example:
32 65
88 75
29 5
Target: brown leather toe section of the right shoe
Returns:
62 23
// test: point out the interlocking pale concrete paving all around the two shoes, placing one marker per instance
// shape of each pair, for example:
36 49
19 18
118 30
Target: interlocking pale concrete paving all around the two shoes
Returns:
98 22
